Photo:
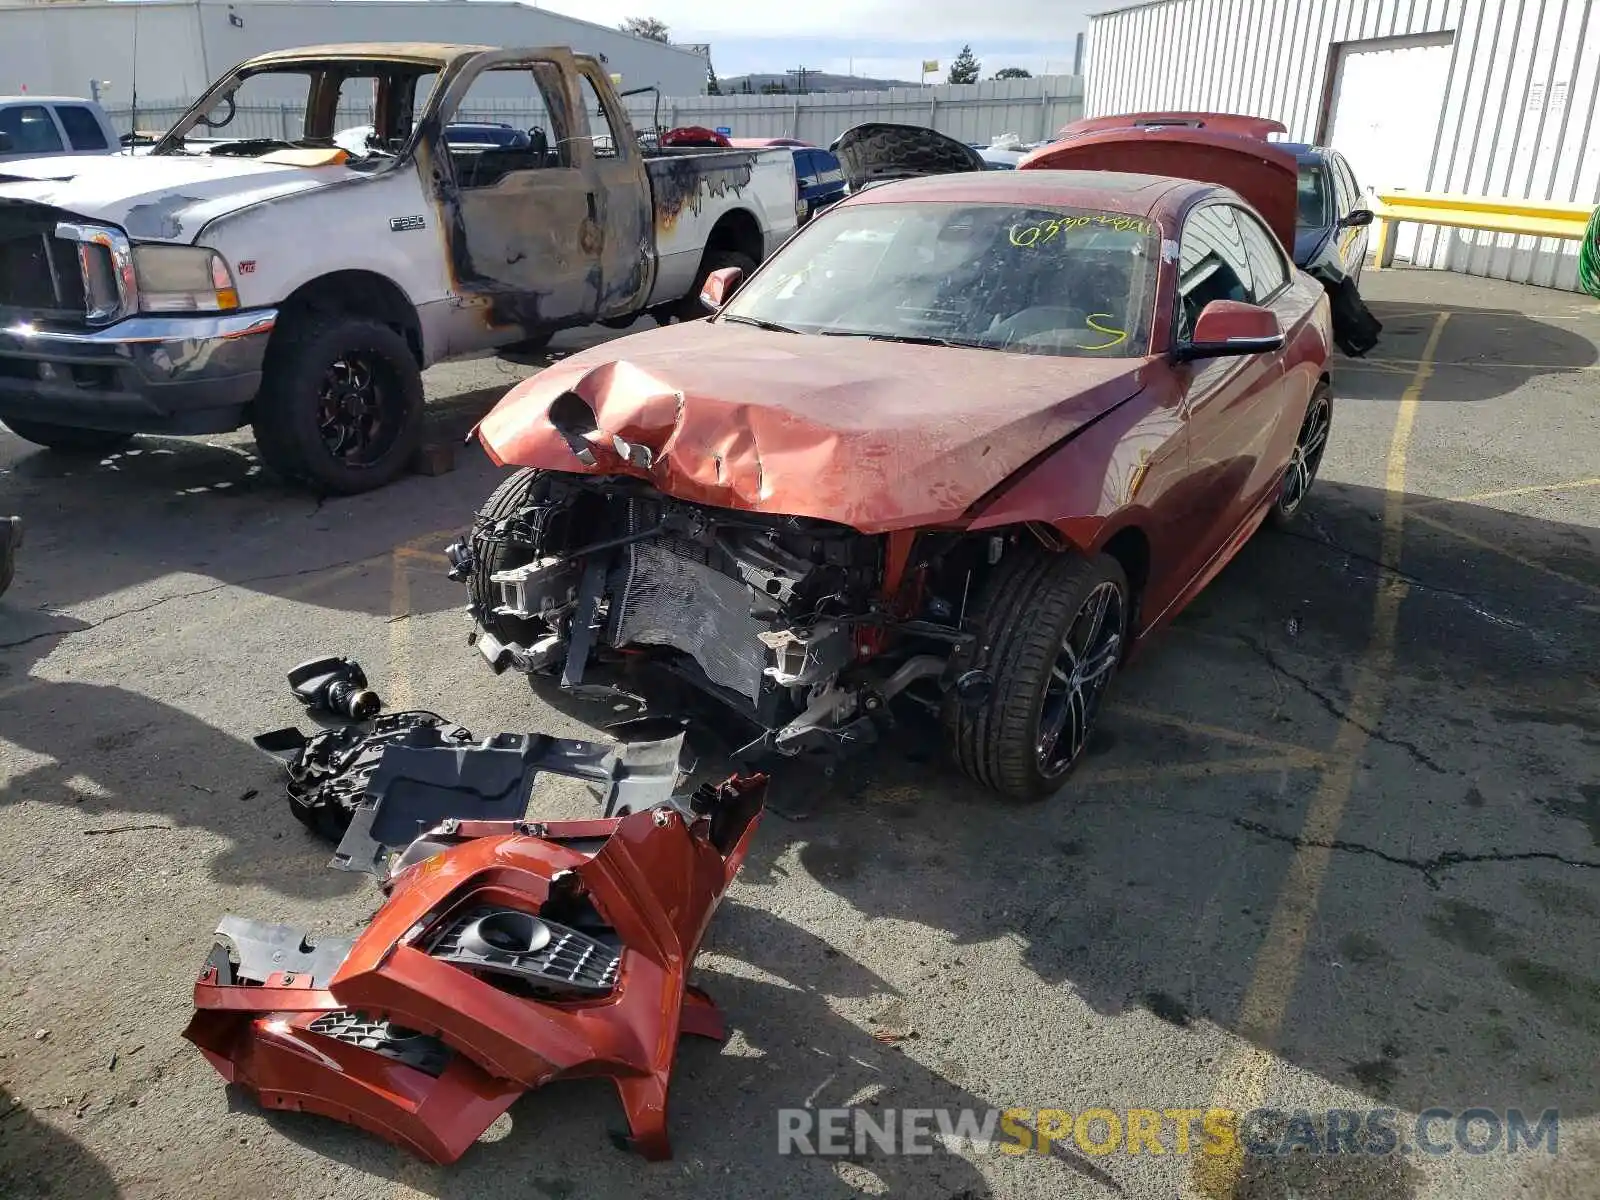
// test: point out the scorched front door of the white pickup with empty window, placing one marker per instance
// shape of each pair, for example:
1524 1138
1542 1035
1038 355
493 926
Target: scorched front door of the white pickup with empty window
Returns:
527 244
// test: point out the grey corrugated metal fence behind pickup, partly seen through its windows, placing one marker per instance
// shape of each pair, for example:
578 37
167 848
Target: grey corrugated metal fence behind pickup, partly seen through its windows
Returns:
975 113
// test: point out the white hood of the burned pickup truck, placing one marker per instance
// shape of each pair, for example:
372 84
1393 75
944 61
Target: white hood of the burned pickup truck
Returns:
162 199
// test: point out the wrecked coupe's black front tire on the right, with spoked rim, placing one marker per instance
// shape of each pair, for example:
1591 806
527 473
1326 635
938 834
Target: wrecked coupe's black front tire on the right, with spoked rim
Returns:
1028 609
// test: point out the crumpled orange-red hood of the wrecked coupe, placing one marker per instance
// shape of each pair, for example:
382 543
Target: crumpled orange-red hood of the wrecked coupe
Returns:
876 436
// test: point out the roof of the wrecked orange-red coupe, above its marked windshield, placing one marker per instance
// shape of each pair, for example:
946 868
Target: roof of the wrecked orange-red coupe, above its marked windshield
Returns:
1106 191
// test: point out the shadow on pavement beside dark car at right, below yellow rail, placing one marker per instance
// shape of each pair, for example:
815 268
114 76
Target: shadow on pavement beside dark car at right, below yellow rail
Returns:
1492 353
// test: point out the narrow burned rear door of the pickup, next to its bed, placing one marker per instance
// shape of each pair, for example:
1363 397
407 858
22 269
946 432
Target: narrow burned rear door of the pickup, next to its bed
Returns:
622 196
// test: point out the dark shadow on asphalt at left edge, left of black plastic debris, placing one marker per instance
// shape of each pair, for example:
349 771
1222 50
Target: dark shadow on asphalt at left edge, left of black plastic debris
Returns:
129 766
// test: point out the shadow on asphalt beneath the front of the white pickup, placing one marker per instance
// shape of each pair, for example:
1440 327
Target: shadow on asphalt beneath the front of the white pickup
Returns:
209 508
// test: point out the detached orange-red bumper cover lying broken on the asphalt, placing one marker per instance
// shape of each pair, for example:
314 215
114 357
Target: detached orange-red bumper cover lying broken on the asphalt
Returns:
506 956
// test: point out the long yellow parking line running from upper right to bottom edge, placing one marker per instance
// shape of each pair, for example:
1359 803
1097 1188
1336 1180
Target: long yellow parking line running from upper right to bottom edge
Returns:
1244 1076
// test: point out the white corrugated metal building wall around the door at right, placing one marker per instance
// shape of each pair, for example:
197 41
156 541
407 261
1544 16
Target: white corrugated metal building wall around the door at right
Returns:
1521 116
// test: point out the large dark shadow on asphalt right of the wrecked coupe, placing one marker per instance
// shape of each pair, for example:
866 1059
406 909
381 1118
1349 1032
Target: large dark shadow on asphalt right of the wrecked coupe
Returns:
1465 882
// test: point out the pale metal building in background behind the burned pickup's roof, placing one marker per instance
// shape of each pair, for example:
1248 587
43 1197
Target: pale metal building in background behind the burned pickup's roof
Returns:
172 49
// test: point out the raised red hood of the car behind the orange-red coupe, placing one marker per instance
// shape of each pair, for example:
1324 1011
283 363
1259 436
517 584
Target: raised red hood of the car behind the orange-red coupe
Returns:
1214 148
